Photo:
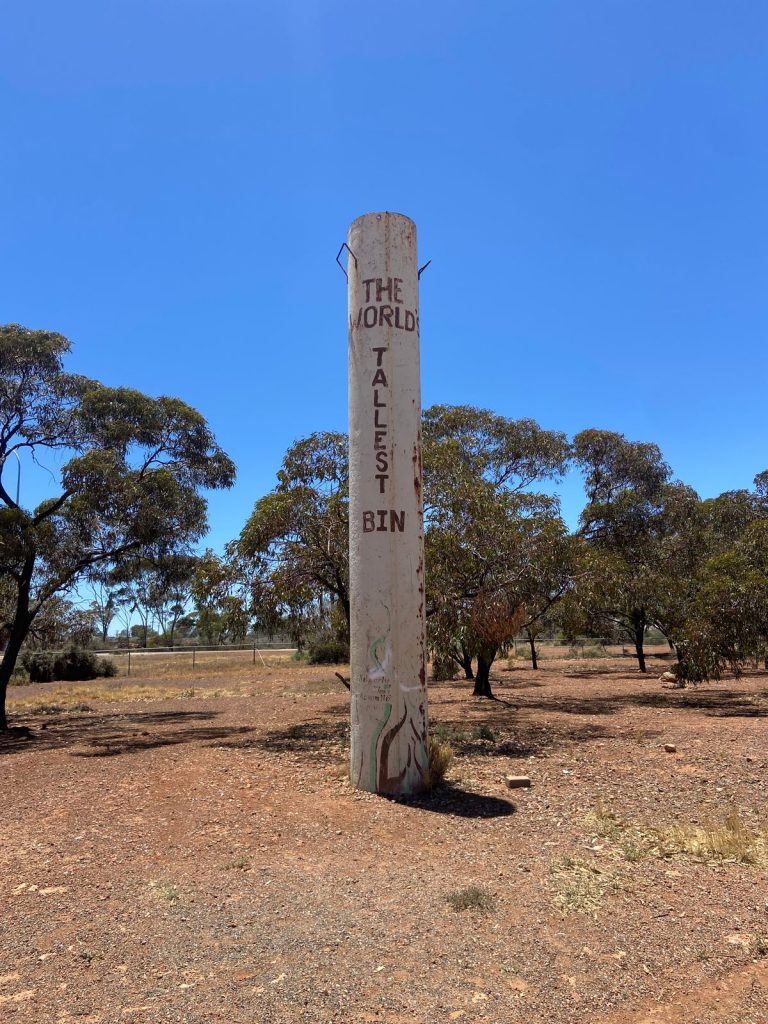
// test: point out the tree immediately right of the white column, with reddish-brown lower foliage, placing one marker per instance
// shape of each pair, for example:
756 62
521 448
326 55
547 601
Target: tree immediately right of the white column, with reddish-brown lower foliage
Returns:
489 537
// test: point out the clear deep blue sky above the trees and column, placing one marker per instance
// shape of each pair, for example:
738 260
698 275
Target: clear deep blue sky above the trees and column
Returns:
589 178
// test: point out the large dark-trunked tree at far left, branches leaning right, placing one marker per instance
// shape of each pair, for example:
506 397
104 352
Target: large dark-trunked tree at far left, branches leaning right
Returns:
132 481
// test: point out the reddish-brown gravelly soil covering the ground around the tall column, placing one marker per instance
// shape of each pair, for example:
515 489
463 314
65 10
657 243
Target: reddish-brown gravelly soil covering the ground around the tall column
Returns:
204 860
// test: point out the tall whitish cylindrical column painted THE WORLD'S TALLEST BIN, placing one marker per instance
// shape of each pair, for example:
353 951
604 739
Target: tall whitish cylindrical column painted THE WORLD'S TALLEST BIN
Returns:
387 542
